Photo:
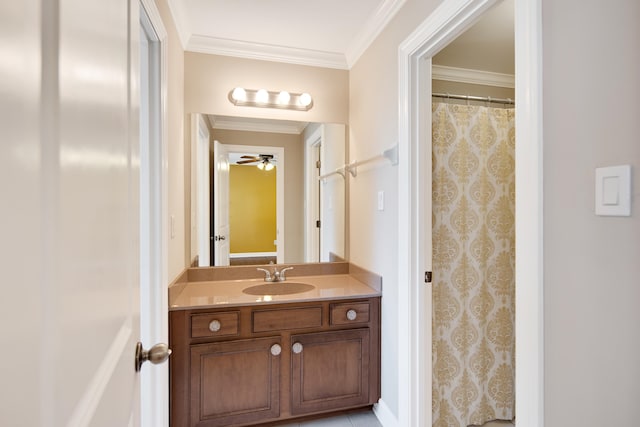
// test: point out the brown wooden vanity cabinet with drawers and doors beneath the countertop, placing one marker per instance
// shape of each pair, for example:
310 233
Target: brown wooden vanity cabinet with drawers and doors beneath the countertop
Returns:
258 364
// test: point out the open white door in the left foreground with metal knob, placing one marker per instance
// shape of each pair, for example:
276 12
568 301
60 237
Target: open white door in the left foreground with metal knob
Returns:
70 246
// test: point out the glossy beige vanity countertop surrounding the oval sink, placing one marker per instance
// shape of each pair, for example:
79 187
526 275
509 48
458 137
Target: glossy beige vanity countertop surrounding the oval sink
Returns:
229 293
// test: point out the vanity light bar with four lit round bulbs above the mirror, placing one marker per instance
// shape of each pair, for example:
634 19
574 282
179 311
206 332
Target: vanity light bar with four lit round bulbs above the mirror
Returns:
241 97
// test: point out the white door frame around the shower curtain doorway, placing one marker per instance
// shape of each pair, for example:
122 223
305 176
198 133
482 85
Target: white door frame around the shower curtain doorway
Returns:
414 79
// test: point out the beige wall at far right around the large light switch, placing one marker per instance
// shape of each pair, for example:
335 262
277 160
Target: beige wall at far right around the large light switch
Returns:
591 81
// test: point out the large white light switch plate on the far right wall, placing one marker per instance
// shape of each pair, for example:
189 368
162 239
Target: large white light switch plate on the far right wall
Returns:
613 191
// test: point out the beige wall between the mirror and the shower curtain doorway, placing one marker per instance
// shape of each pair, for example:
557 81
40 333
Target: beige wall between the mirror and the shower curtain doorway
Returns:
374 128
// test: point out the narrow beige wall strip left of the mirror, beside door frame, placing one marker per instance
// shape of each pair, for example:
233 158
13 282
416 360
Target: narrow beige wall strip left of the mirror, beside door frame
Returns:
178 147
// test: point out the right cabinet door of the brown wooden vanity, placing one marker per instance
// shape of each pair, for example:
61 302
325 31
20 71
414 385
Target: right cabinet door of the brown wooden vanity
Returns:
329 370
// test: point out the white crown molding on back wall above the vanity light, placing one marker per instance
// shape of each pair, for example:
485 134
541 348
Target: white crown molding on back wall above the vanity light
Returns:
266 52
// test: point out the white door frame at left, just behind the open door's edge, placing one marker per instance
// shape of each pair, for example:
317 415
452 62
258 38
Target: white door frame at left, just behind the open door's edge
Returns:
154 409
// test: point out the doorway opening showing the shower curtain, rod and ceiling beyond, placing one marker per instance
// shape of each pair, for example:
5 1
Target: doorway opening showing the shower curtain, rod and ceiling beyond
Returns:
473 208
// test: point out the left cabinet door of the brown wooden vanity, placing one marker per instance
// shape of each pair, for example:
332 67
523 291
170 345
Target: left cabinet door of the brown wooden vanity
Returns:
235 382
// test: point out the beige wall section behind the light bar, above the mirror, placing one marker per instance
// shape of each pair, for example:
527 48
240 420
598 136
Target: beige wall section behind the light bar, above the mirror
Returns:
209 78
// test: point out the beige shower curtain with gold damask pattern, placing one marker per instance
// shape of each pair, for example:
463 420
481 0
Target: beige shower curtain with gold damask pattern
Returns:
473 264
